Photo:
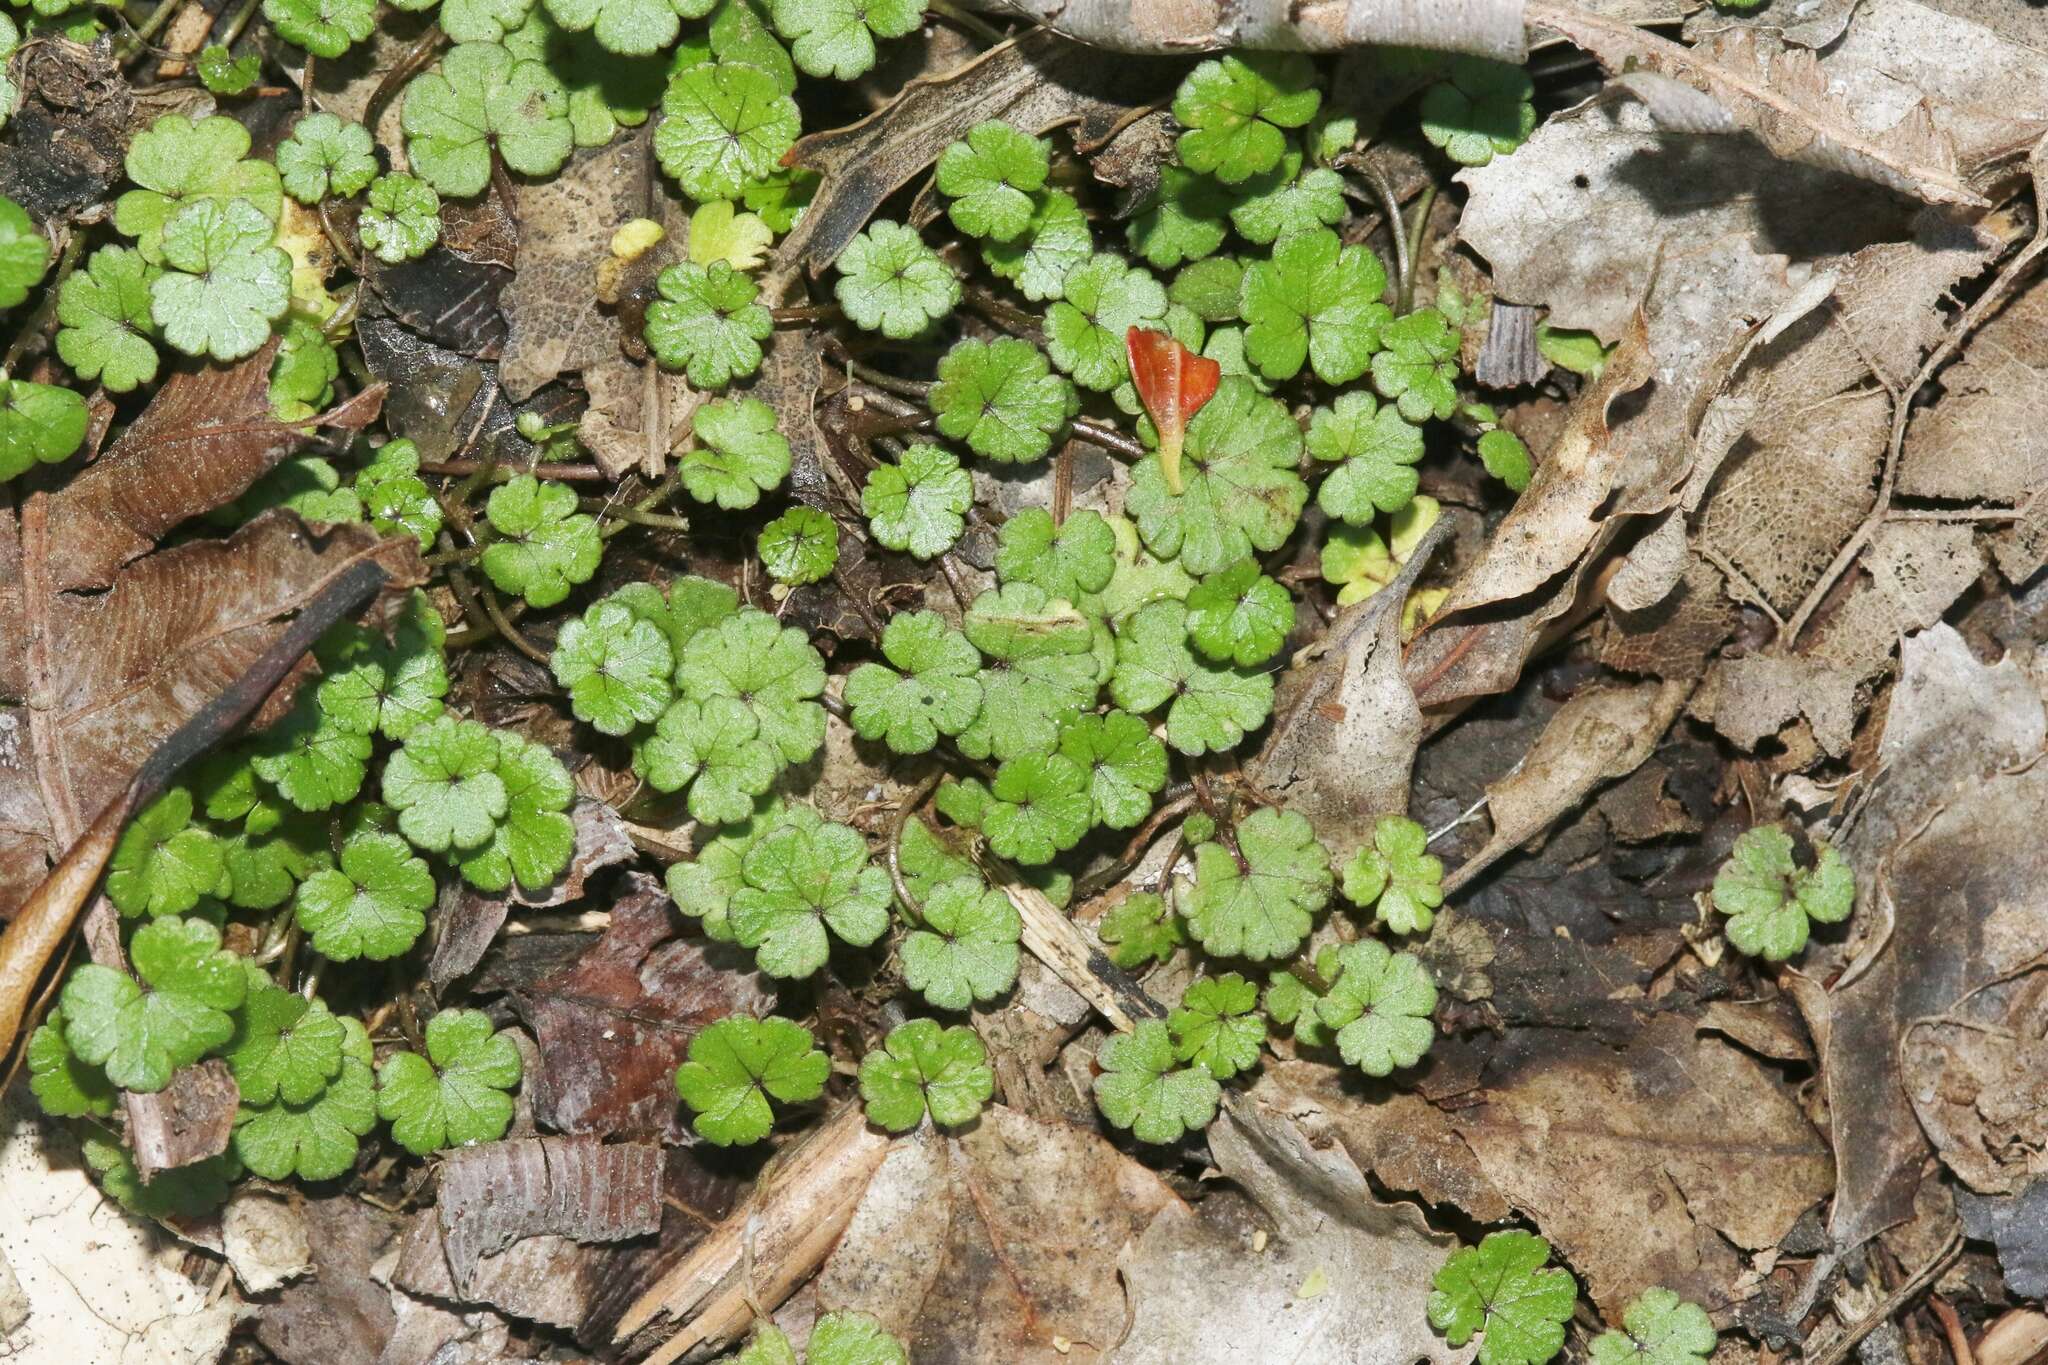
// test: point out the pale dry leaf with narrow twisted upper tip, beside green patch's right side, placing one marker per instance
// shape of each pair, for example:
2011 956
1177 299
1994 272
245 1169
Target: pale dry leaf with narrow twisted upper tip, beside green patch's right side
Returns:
1345 719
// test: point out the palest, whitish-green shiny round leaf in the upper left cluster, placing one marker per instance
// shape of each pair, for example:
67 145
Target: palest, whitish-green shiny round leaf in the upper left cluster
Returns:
224 283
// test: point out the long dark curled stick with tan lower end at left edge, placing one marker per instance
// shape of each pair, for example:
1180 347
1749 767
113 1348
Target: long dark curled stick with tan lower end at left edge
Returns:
46 922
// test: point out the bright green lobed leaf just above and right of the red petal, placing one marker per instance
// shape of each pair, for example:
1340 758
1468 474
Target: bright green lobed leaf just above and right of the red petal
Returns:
1318 302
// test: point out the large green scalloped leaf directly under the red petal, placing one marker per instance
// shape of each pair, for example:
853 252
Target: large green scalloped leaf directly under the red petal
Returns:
1240 490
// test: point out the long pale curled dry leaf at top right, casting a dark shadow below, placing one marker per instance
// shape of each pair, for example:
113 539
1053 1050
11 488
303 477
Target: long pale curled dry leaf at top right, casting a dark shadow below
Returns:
1781 97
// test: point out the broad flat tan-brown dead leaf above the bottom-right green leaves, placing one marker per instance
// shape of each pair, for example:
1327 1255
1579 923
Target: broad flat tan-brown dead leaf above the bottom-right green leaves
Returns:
1646 1165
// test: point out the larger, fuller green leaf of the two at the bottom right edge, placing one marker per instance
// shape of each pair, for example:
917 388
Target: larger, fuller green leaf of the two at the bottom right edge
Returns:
1502 1290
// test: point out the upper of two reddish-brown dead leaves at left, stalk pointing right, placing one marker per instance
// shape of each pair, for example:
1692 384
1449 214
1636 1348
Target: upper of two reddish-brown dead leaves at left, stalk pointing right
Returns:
202 443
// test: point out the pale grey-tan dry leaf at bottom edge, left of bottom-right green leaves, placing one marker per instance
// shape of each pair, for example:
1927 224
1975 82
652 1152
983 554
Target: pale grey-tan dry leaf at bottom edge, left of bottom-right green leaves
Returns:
1340 1280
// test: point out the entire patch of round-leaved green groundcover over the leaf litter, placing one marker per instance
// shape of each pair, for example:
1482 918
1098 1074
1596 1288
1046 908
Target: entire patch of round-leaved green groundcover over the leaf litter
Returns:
1011 509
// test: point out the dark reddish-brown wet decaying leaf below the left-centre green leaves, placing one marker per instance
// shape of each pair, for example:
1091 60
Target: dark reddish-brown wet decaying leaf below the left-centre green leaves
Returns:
615 1026
